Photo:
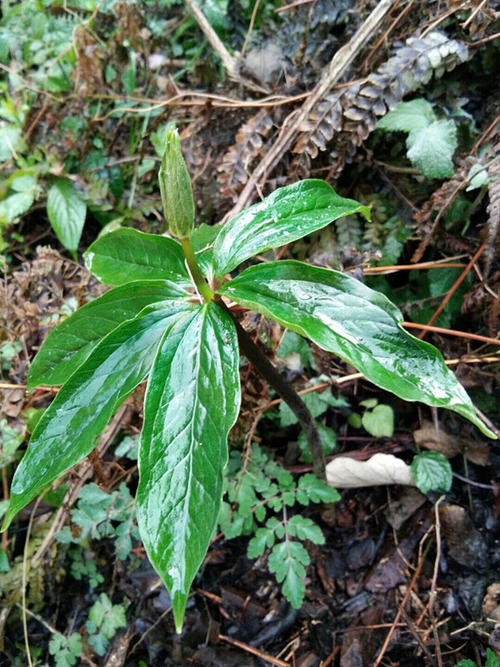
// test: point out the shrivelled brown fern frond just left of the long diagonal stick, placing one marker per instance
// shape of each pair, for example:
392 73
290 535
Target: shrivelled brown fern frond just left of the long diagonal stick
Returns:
249 145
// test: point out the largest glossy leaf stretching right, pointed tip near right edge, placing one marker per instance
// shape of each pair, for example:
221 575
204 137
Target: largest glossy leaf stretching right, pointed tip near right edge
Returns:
343 316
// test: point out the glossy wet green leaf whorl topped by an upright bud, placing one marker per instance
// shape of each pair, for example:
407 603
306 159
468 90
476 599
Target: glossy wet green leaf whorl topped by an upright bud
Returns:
168 317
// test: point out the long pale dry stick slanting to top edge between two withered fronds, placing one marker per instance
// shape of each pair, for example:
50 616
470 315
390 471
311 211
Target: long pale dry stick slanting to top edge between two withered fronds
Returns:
339 64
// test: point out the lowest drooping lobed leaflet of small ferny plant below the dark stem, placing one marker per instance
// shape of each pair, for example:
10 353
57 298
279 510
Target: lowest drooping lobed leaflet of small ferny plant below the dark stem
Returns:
288 561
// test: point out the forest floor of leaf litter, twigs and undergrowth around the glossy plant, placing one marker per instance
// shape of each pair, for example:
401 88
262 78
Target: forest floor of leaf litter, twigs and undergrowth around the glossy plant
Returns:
291 91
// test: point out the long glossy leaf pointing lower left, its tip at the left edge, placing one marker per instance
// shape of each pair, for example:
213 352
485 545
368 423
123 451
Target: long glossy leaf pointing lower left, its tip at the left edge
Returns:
68 430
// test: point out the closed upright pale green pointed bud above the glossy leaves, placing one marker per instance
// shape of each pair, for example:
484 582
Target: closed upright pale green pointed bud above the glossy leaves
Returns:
176 190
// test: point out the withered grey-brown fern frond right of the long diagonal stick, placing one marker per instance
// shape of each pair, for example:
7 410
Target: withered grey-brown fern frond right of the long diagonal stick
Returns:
346 117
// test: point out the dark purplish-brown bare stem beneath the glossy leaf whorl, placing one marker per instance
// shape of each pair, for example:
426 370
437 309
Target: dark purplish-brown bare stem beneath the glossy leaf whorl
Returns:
256 357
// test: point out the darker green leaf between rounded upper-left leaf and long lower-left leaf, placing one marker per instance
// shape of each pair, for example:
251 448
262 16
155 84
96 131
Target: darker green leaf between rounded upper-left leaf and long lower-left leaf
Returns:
71 342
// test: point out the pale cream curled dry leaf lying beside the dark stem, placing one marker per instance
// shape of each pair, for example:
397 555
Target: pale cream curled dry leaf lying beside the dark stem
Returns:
347 473
